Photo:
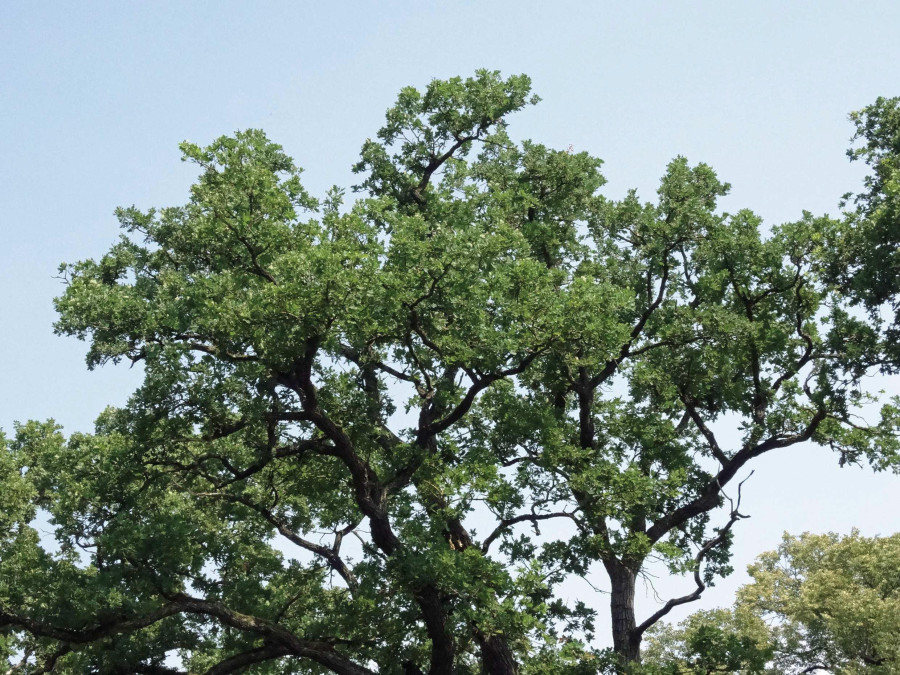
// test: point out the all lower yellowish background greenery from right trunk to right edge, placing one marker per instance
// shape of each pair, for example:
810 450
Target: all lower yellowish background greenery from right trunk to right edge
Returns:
820 603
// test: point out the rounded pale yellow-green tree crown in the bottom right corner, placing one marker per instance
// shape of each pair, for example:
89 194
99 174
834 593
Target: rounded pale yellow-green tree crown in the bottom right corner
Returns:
837 600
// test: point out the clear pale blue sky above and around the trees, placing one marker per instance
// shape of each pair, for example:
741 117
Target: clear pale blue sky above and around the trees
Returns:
94 98
